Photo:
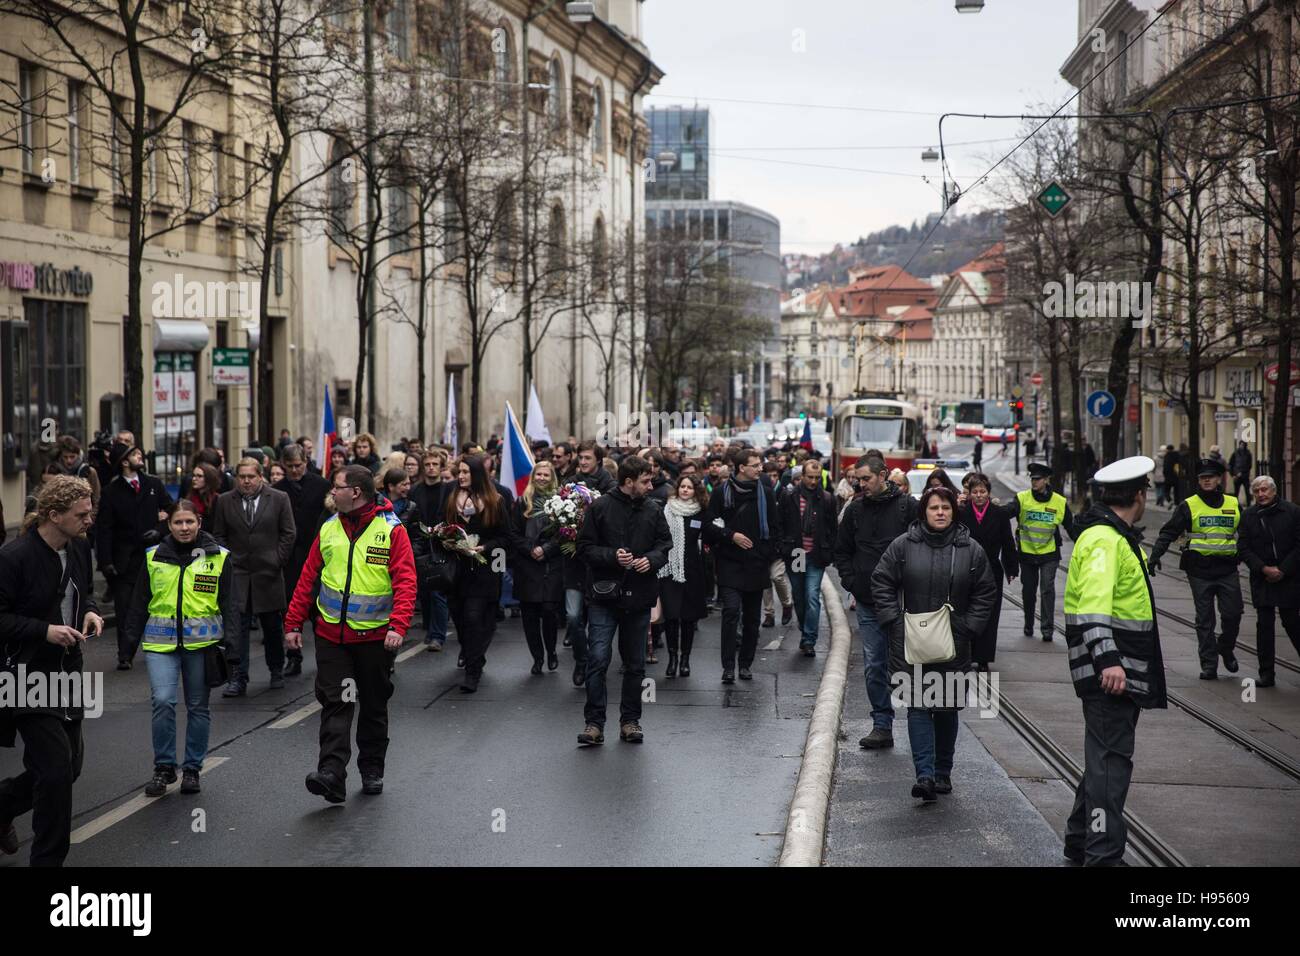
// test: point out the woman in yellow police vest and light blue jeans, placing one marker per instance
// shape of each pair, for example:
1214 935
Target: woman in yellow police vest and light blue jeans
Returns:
183 604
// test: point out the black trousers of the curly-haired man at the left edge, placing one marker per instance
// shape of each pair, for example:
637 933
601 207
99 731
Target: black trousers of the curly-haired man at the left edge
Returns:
53 759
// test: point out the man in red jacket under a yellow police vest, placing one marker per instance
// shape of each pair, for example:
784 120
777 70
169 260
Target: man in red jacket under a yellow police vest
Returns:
359 589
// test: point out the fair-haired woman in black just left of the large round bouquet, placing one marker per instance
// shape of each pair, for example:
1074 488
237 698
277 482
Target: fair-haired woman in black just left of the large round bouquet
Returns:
538 568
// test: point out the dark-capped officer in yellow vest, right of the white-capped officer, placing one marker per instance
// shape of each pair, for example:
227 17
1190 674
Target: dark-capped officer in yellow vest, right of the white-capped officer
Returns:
1211 521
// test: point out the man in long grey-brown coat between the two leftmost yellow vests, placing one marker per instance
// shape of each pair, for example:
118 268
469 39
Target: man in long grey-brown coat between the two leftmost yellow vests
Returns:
257 524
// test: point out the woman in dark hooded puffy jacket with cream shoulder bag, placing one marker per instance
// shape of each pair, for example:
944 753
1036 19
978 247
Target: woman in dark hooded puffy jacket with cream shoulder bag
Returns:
934 594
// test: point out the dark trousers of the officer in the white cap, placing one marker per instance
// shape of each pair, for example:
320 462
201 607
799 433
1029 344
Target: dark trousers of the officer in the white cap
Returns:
1097 827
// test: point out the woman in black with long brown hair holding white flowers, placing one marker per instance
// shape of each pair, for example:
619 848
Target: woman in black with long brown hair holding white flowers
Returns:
480 511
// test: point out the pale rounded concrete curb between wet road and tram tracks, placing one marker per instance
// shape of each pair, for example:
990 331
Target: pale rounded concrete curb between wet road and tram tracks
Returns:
805 827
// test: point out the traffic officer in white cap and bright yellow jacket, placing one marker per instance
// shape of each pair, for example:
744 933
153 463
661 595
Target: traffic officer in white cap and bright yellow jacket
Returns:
1115 656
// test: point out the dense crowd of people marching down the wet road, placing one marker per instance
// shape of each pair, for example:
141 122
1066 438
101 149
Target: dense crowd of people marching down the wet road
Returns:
627 547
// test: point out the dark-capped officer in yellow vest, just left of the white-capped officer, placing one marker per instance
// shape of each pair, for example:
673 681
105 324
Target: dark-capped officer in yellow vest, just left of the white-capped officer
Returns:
1041 514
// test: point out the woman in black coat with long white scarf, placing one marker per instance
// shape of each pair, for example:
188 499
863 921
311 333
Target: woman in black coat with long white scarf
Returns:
682 581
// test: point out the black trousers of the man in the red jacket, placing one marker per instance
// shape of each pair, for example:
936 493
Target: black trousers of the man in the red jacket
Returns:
350 677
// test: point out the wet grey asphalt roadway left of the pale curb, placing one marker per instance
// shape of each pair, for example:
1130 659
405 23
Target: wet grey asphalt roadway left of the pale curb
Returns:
496 778
